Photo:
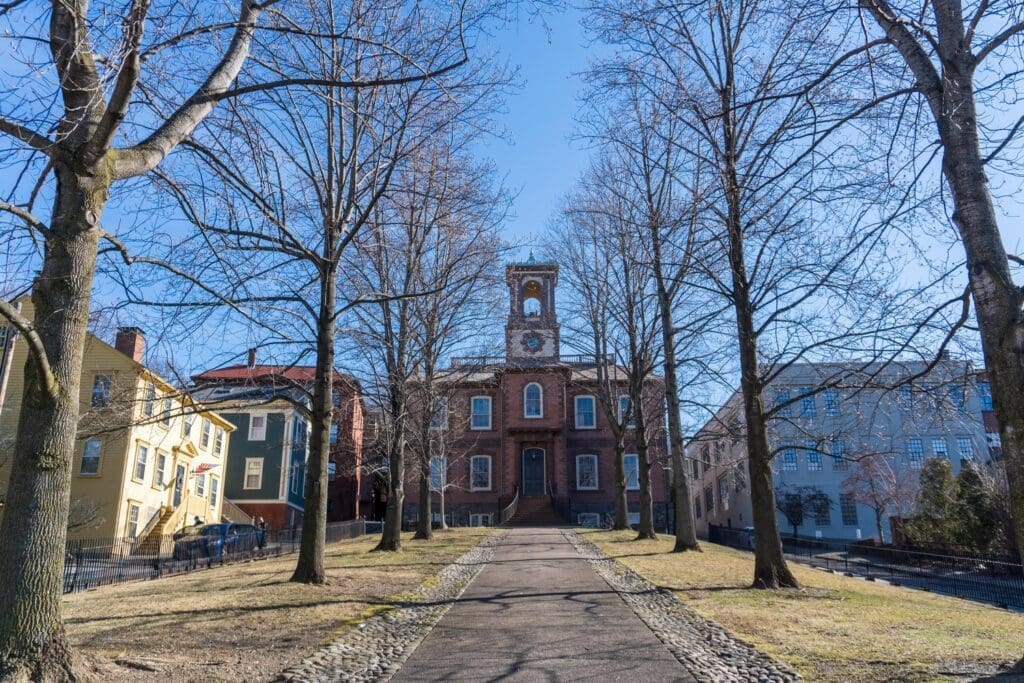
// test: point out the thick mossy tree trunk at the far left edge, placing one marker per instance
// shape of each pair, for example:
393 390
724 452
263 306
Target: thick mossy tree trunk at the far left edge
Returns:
33 534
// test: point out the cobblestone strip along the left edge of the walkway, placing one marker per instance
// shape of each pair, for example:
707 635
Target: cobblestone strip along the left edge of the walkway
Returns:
377 649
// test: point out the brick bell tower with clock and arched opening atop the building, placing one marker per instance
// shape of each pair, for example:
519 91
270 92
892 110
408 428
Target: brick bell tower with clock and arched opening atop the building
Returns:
532 332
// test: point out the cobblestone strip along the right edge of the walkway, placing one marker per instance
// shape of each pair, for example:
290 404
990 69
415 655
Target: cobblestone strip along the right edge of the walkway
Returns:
707 651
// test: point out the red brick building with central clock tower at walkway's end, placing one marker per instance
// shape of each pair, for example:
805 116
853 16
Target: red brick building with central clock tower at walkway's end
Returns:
533 423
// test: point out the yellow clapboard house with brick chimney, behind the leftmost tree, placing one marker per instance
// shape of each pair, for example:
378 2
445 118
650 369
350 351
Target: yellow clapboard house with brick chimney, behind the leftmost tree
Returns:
148 459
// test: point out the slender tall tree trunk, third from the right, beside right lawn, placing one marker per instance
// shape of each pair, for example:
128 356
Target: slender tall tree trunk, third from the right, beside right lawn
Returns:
687 535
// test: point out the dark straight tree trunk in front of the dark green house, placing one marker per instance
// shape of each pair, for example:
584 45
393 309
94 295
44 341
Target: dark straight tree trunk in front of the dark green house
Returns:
310 568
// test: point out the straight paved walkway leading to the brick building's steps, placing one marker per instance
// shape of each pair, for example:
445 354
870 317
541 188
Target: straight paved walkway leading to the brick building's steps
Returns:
538 612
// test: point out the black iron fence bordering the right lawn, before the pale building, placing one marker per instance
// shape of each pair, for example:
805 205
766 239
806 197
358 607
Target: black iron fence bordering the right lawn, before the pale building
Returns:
993 581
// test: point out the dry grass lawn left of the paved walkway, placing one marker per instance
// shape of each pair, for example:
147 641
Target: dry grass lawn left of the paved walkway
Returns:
247 622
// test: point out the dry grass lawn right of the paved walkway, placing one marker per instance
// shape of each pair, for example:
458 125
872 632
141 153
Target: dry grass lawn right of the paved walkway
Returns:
836 628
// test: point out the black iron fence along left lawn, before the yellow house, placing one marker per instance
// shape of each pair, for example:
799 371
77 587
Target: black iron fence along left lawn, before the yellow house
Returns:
94 563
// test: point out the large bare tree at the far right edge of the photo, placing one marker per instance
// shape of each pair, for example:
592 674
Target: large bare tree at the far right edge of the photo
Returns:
962 63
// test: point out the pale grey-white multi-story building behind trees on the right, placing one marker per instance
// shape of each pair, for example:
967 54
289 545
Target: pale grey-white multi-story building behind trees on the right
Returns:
825 438
